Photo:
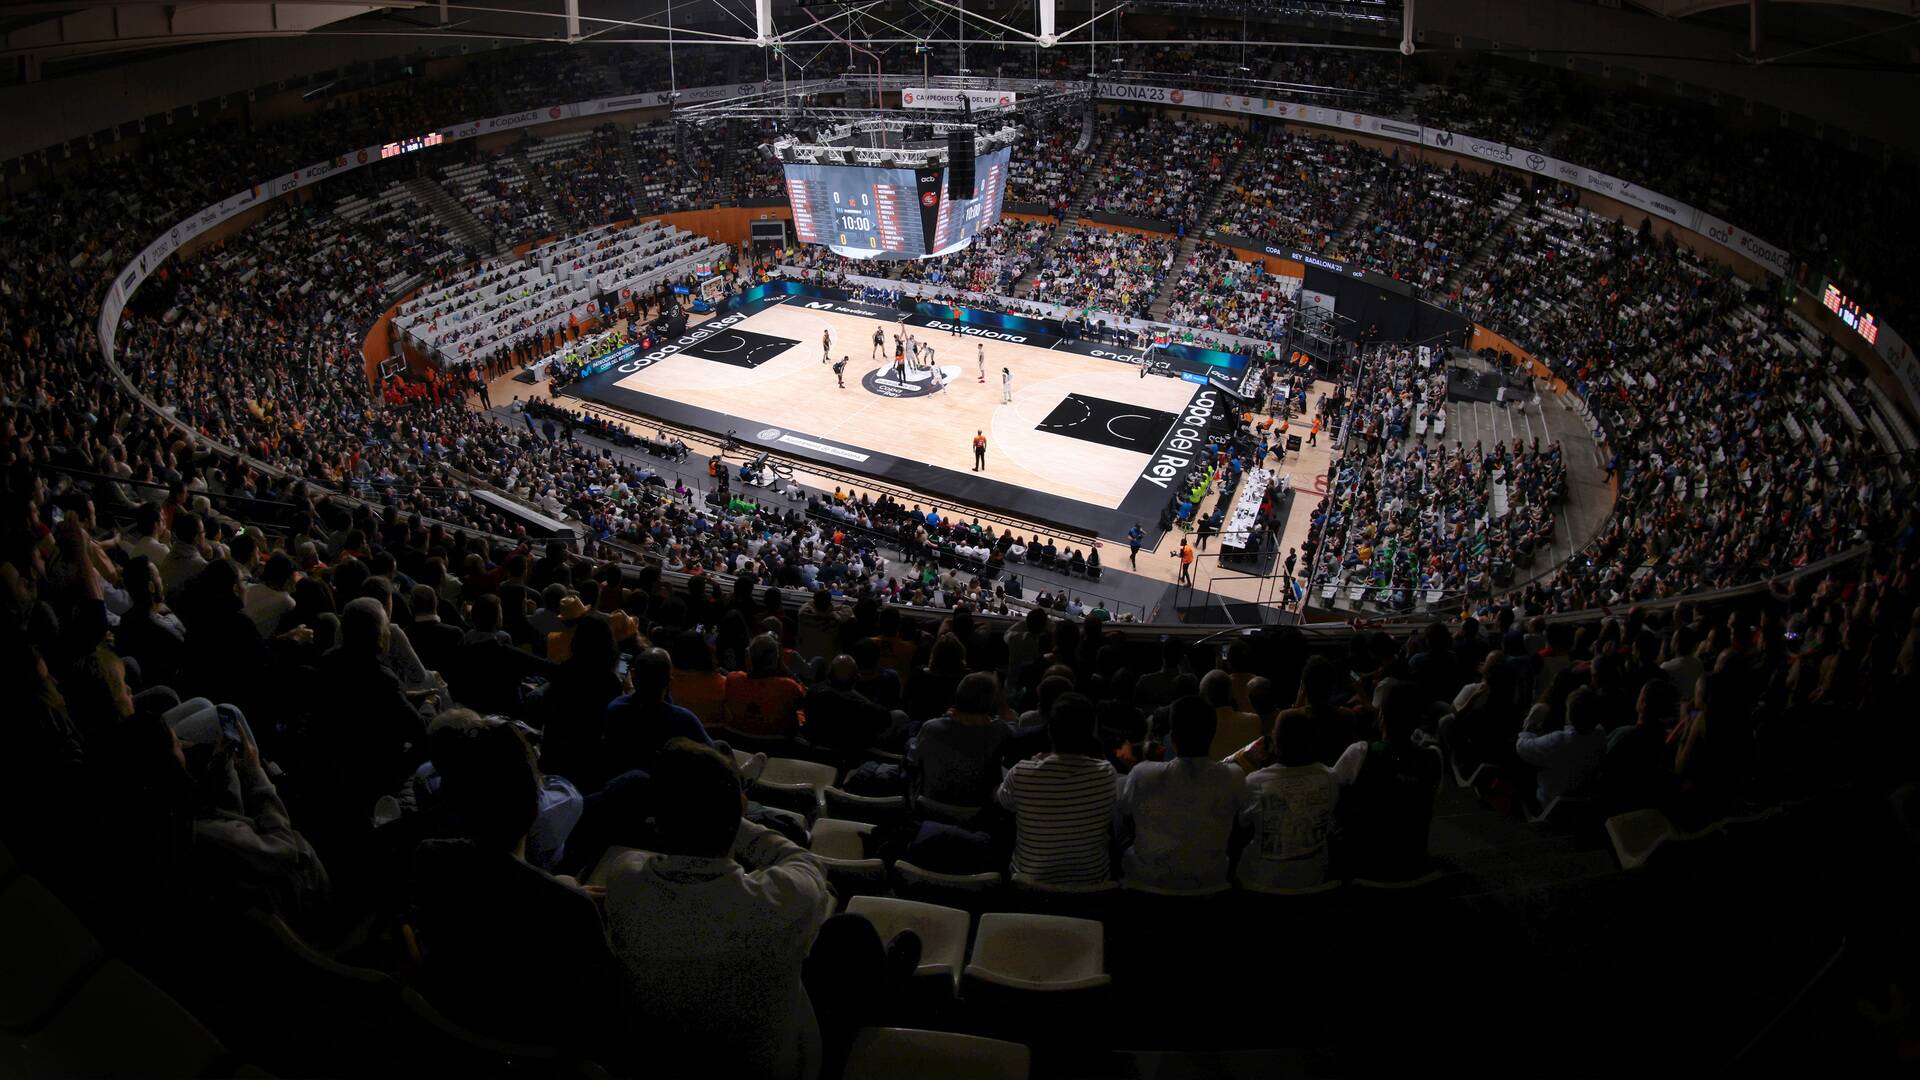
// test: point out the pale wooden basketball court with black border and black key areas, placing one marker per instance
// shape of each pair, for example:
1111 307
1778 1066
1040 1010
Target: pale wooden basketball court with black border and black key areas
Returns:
1086 445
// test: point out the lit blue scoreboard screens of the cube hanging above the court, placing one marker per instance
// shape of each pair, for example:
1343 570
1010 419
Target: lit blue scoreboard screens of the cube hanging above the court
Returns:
894 214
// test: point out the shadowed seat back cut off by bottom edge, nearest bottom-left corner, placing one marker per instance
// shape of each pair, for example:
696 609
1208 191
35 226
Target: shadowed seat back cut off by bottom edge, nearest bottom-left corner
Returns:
122 1025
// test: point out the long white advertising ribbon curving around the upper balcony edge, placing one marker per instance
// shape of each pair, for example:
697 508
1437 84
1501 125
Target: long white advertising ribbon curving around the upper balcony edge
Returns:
1777 260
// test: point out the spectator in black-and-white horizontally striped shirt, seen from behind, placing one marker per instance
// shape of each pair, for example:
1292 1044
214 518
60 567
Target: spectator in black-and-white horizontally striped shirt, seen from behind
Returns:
1063 802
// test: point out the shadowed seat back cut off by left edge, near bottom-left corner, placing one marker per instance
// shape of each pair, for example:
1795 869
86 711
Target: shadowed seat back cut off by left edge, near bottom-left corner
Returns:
45 954
